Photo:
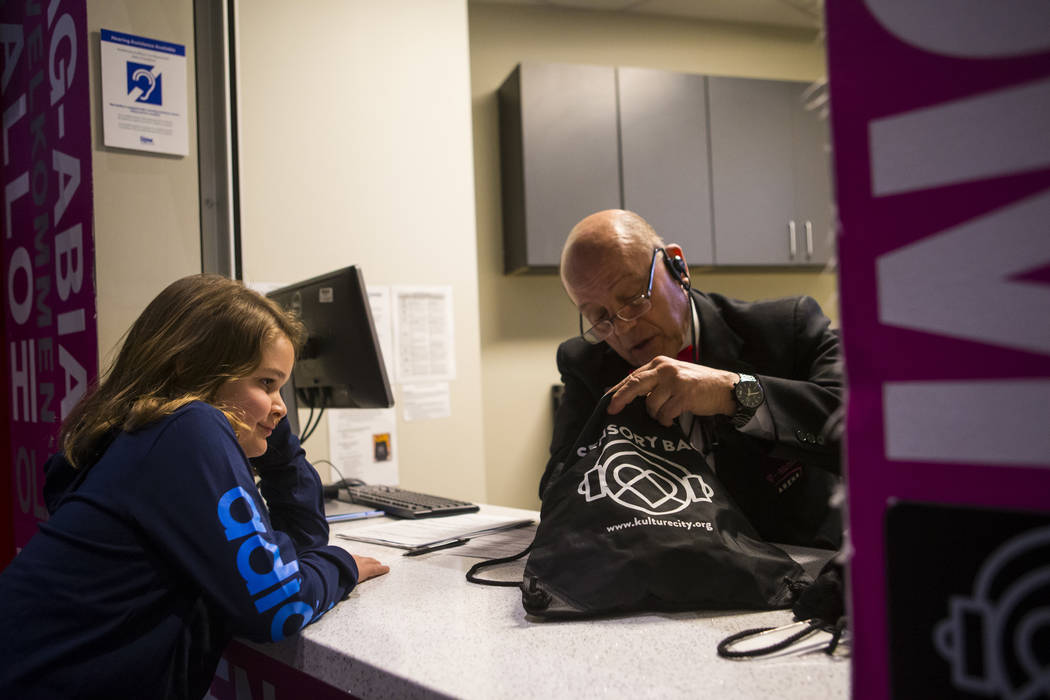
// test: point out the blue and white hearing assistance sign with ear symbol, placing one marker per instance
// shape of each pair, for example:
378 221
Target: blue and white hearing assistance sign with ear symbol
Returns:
143 94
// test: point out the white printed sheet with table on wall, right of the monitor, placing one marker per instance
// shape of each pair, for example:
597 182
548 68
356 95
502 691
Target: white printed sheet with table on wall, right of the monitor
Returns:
425 348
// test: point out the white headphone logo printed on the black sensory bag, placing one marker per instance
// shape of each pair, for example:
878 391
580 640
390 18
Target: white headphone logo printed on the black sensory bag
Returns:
641 480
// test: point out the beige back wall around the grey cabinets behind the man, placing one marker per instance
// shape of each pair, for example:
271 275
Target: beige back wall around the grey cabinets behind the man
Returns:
523 319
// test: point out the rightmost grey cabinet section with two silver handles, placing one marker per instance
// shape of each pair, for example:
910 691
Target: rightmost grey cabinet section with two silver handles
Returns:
770 177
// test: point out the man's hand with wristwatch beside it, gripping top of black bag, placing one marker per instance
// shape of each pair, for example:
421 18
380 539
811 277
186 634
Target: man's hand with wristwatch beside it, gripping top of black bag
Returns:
673 388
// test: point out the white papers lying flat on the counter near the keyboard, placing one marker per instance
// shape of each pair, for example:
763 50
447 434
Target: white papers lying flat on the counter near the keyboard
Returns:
430 532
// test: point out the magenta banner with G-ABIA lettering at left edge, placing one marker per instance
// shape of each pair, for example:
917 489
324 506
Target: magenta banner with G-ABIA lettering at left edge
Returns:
49 254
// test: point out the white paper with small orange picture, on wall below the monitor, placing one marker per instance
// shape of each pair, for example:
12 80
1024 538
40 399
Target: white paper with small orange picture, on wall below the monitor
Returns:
363 444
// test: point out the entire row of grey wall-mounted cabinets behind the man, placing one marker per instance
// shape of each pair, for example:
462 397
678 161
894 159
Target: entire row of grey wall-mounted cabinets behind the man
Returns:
733 169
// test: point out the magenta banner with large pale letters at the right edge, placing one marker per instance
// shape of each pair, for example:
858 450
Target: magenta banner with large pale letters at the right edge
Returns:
941 122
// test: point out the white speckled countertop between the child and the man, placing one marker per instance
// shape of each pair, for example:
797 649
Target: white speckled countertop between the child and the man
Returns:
425 631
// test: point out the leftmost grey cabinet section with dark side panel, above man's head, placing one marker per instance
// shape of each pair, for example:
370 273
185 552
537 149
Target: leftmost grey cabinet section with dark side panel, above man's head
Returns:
560 158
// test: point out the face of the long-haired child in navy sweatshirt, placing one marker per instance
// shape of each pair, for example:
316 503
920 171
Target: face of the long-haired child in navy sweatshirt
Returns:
256 399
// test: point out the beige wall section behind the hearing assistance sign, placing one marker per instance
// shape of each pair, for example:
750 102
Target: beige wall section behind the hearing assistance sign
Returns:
148 217
